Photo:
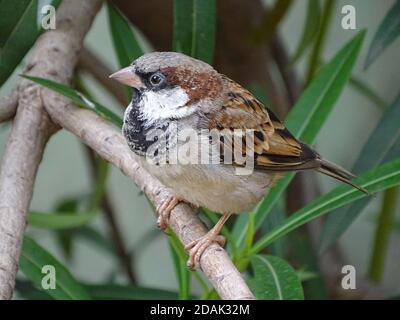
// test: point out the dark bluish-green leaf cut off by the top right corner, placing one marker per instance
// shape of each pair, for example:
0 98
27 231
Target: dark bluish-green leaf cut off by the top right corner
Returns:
387 32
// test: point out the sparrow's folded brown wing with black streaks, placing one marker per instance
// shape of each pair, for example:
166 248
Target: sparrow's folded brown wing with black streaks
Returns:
275 149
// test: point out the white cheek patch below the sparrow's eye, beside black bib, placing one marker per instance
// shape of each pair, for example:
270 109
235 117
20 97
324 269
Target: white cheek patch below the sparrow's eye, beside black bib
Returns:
164 104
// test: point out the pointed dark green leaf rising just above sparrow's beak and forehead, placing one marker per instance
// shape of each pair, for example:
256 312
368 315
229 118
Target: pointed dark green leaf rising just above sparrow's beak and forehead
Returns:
125 42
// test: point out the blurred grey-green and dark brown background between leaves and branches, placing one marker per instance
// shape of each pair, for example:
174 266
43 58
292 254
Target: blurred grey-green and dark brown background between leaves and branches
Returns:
64 170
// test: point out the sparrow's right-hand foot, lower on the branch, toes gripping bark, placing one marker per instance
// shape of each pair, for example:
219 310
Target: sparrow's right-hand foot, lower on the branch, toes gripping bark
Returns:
197 247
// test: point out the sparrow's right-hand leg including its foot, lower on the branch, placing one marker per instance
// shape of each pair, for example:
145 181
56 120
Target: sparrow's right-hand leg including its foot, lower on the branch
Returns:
197 247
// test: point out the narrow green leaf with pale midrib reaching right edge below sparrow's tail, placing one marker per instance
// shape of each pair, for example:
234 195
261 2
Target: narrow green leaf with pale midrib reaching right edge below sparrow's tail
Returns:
381 178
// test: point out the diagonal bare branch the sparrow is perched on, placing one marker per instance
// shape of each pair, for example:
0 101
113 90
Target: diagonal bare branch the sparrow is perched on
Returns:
111 146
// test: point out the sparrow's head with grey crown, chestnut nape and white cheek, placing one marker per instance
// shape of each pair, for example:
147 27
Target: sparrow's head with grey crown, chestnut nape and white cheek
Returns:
170 85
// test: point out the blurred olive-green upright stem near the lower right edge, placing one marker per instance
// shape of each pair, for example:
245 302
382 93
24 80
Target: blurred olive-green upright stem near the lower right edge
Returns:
382 233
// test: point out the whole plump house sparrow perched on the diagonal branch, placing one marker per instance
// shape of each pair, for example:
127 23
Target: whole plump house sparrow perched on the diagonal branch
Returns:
174 92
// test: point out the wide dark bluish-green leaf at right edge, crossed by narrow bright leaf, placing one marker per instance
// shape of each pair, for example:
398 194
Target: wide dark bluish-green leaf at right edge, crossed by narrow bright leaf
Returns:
382 146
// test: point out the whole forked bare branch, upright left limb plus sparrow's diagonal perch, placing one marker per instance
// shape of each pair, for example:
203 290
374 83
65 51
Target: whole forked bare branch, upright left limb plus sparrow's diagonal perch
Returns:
38 114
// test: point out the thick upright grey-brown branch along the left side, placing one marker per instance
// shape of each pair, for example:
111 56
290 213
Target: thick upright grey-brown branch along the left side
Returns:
54 56
